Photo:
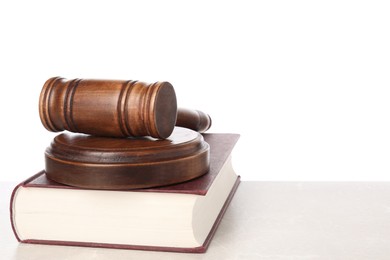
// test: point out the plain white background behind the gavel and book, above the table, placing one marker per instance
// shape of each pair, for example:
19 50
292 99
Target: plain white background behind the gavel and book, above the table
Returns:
305 83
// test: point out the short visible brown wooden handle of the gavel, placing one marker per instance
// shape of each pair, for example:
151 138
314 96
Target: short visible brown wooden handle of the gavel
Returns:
193 119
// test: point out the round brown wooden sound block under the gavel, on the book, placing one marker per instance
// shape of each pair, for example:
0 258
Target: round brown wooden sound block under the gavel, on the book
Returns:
126 163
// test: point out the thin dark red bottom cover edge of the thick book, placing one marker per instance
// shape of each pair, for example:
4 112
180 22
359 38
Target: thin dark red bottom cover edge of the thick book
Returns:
200 249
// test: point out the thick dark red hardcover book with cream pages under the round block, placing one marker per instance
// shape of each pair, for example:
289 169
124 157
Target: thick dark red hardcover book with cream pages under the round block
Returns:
178 218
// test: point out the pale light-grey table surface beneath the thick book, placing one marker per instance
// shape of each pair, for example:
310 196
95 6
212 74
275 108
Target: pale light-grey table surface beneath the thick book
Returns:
266 220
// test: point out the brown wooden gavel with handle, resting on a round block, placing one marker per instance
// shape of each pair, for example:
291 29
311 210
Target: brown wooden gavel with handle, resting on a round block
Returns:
115 108
